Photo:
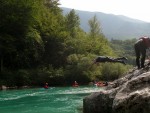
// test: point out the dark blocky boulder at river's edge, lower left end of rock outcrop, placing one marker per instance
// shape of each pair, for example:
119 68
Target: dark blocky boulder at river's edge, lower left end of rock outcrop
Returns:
99 102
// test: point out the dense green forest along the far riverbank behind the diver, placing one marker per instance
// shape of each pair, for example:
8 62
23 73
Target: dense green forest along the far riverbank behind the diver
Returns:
39 44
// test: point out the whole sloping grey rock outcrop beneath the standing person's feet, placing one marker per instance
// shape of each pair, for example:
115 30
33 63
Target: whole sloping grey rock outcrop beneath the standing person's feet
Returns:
130 94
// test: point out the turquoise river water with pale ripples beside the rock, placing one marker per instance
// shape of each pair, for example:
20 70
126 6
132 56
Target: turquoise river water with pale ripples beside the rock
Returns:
40 100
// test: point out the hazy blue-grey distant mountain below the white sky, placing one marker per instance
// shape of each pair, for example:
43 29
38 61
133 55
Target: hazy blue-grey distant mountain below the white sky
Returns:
114 26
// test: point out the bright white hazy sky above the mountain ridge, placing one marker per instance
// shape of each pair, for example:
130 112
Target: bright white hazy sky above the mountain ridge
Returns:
138 9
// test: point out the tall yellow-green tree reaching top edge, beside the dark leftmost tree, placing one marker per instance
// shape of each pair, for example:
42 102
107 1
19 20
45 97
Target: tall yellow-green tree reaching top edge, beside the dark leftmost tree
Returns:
53 35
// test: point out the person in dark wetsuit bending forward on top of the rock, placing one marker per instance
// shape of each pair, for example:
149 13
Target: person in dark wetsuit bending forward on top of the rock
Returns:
140 50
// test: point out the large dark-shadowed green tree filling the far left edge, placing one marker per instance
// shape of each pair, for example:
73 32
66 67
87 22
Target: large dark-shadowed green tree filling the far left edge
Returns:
18 31
